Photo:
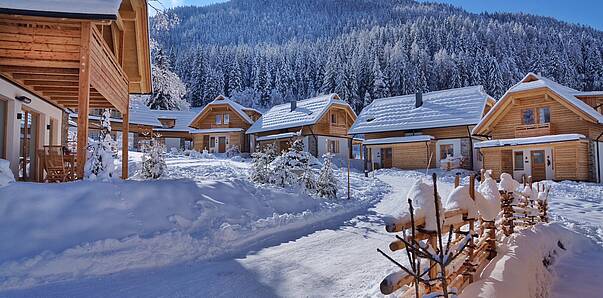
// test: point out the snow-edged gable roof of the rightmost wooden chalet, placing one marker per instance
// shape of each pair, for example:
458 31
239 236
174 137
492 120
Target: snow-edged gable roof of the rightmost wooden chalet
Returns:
533 81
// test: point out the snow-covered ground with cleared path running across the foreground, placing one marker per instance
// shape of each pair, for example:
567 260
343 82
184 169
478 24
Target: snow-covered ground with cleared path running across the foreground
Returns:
236 239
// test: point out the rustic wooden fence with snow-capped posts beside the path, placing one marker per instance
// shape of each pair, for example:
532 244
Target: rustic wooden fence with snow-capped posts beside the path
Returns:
471 243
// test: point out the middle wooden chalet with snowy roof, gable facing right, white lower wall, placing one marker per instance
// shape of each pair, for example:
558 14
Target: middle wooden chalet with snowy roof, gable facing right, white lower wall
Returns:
321 122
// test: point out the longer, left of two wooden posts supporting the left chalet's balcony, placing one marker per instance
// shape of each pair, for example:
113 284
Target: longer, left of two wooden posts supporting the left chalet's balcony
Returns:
84 99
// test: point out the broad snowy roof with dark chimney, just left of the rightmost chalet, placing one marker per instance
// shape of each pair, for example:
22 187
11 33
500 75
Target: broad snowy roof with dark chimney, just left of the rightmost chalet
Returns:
445 108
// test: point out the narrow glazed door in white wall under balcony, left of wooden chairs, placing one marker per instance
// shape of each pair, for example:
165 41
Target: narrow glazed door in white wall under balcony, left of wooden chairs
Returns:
27 146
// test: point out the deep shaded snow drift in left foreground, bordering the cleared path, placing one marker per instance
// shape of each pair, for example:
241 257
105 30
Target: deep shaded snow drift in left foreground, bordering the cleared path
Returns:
204 209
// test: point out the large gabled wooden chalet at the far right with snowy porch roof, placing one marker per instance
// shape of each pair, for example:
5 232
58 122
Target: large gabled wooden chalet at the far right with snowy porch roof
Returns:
542 129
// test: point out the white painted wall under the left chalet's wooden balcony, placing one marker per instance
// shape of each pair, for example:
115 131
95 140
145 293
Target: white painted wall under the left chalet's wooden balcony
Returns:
8 92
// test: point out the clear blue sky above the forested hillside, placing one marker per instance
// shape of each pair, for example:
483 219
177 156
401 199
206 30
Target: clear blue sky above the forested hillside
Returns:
586 12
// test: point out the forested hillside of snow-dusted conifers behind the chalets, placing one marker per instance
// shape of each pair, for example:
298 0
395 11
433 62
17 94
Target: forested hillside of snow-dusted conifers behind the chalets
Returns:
265 52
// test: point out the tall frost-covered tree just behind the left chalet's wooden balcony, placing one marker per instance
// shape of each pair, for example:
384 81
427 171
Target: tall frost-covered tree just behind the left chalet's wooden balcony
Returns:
168 89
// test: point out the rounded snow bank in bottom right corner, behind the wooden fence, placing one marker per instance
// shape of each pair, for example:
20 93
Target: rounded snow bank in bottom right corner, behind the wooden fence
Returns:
526 265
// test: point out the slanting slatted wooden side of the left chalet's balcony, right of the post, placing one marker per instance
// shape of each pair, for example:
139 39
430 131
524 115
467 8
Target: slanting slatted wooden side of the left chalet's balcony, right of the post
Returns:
107 76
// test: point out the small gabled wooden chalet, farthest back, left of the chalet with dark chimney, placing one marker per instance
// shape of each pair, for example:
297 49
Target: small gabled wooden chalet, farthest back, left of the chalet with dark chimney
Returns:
222 124
